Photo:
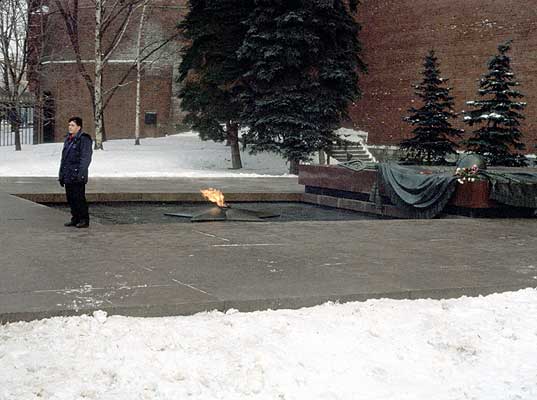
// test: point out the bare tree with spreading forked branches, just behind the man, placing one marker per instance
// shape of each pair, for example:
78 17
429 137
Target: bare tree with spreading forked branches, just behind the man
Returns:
112 19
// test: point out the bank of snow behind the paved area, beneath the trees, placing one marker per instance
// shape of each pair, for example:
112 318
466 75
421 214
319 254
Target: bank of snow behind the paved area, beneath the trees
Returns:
183 155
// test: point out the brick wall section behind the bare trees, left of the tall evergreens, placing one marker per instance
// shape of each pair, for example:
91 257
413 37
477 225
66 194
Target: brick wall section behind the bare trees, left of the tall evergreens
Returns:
60 76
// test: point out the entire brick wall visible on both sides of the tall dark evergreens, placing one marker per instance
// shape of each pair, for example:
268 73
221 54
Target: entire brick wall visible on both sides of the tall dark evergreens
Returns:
396 36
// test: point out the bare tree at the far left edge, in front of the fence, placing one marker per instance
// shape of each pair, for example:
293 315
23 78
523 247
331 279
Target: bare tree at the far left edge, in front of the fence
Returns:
15 31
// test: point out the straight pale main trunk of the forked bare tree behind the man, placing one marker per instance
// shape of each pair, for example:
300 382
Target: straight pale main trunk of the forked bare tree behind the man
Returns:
98 115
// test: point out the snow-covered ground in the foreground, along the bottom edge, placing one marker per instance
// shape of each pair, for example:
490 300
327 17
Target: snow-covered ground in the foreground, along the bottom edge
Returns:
481 348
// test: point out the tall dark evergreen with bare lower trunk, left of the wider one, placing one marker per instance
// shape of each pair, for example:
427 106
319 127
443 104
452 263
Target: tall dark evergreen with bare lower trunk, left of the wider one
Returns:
210 70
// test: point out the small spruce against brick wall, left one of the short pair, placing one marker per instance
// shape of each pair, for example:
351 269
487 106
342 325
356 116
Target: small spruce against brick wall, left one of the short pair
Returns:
433 133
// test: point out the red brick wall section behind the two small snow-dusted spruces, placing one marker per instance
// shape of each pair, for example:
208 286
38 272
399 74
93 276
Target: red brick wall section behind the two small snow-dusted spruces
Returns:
397 34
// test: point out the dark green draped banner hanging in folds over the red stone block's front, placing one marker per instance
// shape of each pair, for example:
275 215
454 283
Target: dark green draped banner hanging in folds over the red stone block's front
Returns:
421 193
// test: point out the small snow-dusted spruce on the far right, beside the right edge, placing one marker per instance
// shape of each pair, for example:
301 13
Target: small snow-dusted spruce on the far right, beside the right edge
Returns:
497 114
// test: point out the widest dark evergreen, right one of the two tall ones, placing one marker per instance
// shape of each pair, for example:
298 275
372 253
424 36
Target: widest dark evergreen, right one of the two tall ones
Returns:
303 59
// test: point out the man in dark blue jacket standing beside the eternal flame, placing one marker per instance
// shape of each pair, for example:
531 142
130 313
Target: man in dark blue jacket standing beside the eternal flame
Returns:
76 158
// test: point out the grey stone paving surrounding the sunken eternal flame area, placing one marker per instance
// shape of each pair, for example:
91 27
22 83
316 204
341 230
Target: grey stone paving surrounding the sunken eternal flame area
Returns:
154 270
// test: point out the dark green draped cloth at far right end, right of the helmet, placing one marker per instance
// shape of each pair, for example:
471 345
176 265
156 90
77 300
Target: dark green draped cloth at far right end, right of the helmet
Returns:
518 189
